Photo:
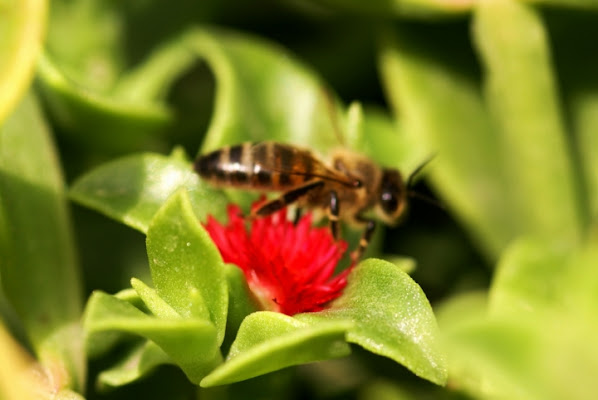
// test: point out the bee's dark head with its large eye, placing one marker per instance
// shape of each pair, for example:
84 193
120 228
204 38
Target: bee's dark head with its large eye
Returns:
392 197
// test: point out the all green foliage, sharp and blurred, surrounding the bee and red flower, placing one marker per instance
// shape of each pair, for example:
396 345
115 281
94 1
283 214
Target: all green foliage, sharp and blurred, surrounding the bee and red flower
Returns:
502 94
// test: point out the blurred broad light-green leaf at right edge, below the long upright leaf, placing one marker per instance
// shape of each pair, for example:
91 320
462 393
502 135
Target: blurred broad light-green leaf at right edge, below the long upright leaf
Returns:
538 276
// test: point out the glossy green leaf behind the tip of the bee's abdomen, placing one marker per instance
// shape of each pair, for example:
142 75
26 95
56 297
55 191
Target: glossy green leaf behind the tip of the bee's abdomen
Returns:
133 188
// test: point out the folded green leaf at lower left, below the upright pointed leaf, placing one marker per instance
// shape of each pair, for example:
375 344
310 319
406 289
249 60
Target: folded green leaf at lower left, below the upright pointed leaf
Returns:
191 343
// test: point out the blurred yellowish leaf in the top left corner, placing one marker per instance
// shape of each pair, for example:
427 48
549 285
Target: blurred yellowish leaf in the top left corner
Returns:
22 27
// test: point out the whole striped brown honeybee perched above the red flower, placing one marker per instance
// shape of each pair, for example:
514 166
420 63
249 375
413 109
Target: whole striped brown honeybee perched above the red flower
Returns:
347 188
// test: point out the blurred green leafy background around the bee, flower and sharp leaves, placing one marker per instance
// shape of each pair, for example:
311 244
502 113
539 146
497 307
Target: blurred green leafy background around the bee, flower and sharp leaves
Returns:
503 94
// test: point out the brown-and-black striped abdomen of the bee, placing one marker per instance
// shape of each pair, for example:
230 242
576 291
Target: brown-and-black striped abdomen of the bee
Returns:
261 166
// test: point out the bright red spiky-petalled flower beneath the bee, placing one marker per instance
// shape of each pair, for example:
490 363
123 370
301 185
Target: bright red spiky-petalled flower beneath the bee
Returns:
288 267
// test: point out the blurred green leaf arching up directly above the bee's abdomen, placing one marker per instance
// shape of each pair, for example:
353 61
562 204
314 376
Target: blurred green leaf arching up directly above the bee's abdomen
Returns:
253 77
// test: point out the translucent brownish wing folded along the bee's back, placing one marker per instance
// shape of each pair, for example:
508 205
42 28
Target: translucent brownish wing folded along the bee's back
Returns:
288 159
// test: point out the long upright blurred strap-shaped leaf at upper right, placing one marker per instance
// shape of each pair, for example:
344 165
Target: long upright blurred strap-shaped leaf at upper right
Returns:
522 95
